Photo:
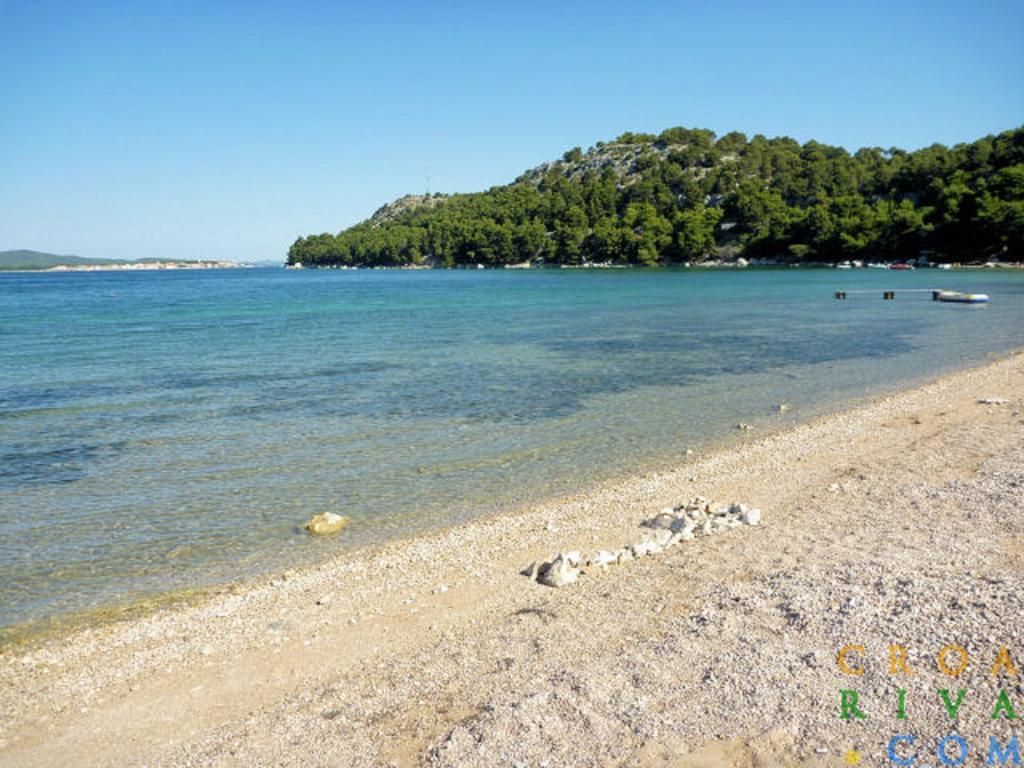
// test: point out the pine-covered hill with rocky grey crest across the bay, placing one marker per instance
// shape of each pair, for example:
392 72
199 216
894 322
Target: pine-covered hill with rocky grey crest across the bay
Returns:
688 196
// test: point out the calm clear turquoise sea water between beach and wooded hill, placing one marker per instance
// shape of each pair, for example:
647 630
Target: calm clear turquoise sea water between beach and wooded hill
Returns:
165 431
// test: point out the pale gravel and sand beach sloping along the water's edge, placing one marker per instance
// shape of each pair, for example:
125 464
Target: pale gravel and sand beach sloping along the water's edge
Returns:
899 523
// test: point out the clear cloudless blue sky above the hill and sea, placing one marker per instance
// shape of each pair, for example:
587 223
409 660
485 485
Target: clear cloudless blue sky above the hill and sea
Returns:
226 130
